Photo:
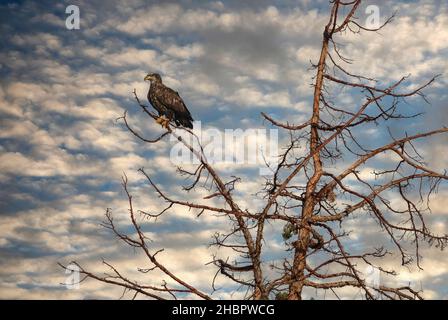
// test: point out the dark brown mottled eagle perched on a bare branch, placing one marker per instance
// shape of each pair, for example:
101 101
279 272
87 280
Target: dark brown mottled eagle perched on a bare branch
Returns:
168 103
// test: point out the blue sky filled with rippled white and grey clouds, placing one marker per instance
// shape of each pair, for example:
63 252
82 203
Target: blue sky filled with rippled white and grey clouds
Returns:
62 152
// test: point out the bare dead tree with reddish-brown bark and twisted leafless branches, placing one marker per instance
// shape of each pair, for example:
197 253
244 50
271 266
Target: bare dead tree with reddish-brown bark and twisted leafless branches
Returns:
307 197
